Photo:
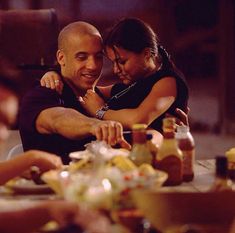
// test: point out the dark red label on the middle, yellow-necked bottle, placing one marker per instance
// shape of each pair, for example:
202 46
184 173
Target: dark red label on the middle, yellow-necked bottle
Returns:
173 166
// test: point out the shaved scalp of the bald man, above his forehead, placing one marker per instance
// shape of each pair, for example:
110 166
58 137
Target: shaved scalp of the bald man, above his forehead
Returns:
77 29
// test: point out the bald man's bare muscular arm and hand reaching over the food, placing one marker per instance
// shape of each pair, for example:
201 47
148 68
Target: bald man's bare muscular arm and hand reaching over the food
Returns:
74 125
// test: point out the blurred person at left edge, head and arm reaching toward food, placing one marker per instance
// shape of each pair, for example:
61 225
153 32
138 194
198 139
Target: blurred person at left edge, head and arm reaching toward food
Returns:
8 112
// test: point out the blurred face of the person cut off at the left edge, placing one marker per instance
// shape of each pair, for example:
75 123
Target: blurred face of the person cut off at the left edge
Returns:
8 111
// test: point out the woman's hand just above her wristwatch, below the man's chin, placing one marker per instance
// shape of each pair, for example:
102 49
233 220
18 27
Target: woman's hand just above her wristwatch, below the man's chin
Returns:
92 102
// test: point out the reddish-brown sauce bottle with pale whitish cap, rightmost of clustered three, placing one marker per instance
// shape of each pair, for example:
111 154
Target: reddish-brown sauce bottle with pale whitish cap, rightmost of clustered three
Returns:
187 146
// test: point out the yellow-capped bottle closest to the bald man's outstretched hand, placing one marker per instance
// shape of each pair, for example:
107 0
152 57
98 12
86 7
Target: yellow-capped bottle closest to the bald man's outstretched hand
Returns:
140 153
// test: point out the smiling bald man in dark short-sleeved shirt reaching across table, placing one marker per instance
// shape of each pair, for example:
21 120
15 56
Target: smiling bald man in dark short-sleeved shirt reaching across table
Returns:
57 123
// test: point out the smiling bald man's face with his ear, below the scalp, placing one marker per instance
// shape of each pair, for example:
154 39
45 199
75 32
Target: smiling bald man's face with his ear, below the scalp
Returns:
81 61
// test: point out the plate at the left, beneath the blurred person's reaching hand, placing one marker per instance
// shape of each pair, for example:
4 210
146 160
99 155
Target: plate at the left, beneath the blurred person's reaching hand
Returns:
23 186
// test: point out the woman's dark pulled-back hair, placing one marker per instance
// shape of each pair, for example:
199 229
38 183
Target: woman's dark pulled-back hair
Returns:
134 35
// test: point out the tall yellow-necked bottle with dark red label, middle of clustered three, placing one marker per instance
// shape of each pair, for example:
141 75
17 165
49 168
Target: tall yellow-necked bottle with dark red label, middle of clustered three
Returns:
169 156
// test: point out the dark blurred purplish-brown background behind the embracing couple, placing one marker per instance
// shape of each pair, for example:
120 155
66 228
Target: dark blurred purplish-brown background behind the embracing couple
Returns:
199 35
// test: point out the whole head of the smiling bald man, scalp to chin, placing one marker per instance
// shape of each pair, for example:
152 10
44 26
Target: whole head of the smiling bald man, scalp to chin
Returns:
80 55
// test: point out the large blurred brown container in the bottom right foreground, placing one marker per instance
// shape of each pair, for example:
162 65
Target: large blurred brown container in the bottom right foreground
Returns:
168 209
